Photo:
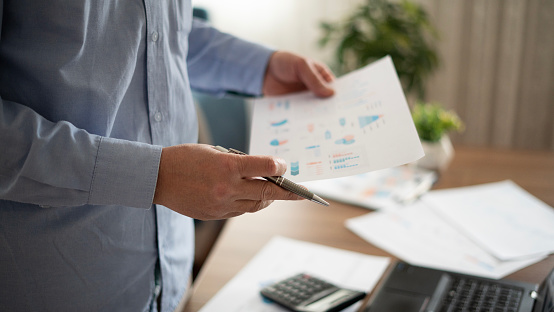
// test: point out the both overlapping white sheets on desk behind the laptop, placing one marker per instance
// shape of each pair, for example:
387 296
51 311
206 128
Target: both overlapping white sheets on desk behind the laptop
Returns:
489 230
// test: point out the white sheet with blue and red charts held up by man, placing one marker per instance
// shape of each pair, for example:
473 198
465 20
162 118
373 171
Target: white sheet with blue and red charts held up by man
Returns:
365 126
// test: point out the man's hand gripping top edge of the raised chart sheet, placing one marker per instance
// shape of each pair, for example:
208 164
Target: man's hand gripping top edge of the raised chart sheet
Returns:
288 72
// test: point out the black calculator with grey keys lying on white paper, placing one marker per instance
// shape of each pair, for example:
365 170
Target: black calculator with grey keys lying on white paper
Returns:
306 293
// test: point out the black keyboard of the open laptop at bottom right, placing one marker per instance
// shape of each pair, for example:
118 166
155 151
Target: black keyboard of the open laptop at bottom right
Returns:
480 296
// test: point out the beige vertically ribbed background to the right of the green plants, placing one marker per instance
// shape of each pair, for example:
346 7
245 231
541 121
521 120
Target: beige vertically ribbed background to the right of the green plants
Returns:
498 69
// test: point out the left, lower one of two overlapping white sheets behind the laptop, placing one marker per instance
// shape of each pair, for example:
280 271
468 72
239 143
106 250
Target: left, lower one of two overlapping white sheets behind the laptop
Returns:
419 236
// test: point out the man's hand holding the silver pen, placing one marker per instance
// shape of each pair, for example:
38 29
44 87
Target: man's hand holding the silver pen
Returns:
200 182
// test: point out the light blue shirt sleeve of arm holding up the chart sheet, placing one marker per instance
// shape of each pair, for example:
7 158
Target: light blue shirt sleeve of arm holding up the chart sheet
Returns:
219 62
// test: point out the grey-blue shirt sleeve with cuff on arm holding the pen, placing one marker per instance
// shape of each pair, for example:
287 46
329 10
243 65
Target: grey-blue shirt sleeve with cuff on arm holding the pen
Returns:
56 164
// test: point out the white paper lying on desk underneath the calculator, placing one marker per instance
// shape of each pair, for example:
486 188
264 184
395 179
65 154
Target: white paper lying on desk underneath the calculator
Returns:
283 257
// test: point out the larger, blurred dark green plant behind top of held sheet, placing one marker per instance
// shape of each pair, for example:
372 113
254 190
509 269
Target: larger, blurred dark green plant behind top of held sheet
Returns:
378 28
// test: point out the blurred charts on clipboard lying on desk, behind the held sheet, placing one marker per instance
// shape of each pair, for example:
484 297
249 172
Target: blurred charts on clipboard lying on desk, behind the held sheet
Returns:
384 189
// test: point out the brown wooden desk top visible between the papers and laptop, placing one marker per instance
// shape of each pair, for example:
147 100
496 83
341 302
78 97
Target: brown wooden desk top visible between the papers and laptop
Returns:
244 236
